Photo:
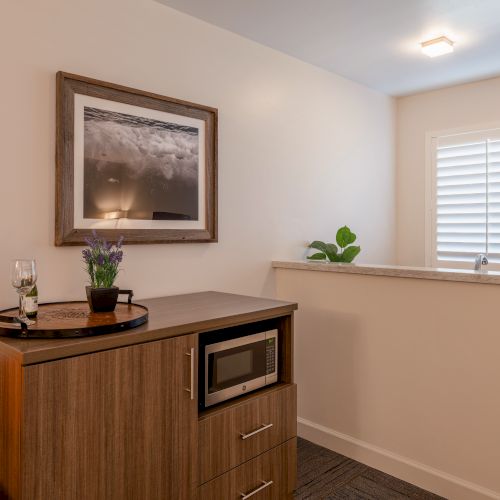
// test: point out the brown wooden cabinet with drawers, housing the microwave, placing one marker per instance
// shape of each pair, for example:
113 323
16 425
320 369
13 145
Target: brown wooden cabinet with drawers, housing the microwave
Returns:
116 416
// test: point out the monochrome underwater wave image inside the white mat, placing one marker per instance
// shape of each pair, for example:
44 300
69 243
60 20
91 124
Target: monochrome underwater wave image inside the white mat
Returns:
139 168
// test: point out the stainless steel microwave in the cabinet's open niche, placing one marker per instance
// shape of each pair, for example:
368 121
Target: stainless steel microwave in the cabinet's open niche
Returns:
235 366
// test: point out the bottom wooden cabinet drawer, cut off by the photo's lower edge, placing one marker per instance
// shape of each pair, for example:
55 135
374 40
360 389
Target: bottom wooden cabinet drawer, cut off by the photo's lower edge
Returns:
270 476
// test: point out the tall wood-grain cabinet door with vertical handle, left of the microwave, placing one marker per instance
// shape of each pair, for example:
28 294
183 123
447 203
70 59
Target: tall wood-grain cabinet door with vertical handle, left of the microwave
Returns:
117 424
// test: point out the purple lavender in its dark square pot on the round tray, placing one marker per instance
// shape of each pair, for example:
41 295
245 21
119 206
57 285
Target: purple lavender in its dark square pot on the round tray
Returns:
102 260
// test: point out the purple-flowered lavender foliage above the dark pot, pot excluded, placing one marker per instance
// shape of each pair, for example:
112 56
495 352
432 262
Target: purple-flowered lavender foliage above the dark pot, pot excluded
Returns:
102 260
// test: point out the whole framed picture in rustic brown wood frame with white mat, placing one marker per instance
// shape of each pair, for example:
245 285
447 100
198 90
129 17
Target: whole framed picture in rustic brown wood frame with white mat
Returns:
133 163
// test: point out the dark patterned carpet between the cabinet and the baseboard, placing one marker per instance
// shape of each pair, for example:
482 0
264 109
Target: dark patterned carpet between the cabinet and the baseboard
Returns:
324 474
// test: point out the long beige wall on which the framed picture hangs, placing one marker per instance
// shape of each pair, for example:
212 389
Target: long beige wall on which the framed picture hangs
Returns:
302 151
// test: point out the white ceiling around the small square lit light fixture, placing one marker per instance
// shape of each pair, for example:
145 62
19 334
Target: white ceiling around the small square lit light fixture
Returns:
373 42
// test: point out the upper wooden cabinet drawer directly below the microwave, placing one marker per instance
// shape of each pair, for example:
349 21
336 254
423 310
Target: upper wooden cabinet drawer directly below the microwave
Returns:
234 435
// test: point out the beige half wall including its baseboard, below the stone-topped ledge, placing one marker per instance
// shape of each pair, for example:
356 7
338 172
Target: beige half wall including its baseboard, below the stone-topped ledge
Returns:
402 374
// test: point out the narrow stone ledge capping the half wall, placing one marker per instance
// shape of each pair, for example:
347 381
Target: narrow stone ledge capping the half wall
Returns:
429 273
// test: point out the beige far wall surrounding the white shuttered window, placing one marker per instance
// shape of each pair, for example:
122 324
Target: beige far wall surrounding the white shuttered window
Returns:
470 105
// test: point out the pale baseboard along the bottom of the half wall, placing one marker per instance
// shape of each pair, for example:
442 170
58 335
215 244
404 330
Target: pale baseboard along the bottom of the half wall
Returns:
419 474
